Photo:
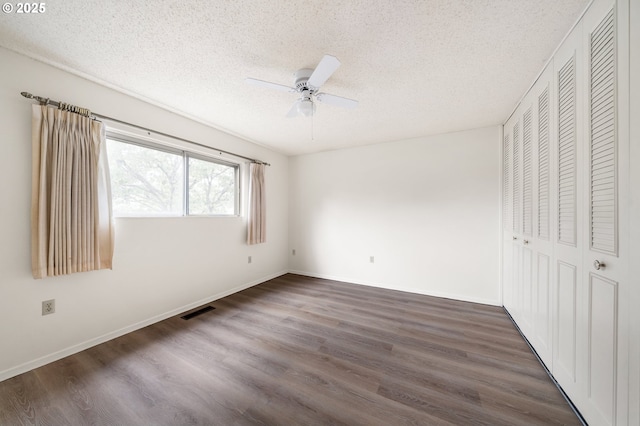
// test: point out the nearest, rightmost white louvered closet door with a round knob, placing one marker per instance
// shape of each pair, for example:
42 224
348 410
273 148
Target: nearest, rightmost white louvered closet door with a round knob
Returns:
603 272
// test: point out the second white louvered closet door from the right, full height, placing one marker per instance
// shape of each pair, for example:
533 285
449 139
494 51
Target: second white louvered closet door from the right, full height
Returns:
567 160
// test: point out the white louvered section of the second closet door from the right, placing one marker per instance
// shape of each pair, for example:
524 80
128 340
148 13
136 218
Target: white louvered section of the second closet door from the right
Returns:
567 154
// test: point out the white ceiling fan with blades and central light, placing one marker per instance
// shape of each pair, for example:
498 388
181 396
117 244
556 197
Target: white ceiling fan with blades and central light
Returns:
307 82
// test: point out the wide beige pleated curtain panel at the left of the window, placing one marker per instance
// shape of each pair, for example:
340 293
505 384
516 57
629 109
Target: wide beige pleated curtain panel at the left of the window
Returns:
71 220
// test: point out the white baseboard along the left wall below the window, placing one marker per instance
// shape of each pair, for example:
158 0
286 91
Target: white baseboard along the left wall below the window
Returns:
39 362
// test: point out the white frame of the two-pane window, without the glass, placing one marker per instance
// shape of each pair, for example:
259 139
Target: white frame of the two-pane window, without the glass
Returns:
155 144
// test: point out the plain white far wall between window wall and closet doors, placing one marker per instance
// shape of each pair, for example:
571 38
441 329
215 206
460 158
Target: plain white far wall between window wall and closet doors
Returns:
427 209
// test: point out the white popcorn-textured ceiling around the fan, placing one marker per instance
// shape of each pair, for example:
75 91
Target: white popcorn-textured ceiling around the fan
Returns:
417 67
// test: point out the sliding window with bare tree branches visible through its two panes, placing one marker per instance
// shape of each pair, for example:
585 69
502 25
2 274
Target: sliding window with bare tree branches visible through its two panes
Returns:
154 180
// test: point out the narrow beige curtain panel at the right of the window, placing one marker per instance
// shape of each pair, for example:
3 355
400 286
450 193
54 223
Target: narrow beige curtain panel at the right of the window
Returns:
257 227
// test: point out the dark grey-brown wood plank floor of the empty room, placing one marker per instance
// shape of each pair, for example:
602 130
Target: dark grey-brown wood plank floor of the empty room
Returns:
298 350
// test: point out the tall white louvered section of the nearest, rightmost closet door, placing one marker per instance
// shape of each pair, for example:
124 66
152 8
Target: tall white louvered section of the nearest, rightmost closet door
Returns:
603 152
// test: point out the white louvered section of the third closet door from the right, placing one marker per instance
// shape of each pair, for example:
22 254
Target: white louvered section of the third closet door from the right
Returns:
543 165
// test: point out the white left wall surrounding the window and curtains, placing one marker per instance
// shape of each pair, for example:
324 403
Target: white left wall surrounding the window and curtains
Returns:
162 266
